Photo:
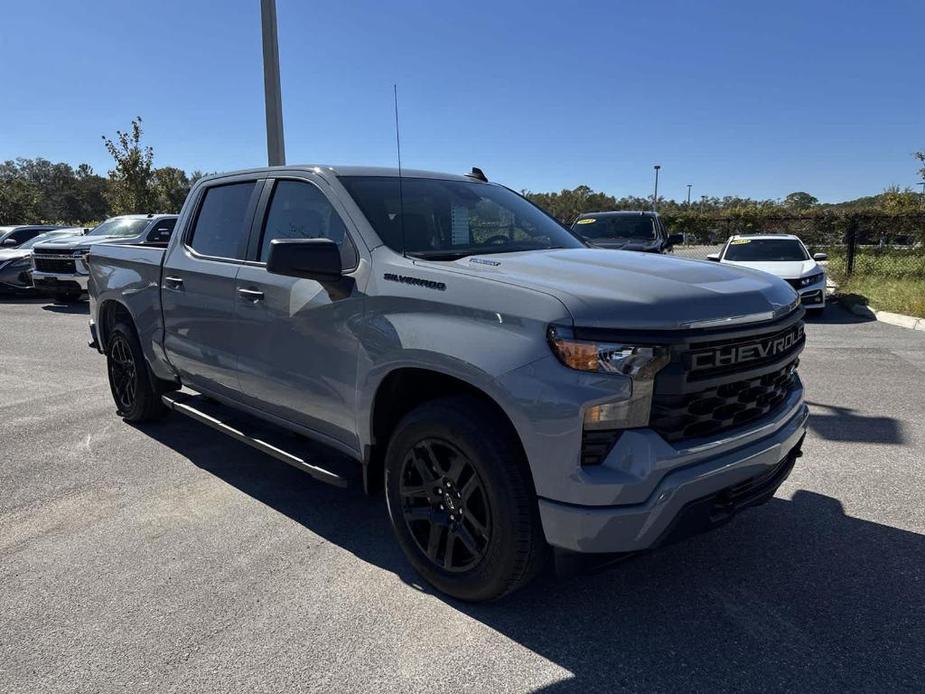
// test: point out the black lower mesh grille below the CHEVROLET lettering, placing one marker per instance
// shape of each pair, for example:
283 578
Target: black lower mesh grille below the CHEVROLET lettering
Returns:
715 409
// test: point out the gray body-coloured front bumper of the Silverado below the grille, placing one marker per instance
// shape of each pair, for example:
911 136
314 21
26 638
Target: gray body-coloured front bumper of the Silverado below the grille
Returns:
687 500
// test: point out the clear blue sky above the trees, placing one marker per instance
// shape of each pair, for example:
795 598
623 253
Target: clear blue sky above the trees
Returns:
750 98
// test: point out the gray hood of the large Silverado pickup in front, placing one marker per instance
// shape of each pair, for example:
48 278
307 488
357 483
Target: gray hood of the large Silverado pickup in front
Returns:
643 291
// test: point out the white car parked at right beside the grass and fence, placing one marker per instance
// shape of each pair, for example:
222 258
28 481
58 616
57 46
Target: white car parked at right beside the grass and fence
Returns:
782 255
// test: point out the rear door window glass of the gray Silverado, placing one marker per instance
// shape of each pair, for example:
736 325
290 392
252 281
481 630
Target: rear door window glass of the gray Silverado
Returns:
224 219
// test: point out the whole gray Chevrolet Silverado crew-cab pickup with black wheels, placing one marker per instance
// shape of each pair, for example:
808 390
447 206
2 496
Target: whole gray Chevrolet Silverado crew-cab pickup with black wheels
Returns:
510 388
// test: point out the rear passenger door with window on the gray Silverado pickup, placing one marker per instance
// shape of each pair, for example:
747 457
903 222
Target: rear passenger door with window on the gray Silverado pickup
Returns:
198 285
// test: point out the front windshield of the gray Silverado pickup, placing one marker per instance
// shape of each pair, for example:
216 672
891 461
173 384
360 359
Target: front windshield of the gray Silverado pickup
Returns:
445 220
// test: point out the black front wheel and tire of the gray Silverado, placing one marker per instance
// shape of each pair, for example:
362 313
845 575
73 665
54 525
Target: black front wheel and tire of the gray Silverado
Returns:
462 502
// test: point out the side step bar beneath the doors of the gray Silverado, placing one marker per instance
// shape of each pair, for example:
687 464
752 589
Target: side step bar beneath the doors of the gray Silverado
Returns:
266 438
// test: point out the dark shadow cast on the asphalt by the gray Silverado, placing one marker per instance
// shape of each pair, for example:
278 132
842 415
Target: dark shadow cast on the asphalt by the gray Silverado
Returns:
795 595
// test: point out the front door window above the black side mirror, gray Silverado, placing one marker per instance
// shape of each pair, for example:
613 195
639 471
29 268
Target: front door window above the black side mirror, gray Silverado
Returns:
298 210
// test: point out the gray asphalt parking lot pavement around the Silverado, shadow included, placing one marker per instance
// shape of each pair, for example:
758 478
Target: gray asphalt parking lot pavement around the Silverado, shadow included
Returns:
167 558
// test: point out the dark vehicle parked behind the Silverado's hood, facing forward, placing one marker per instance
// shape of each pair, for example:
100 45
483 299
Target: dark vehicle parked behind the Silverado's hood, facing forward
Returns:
625 231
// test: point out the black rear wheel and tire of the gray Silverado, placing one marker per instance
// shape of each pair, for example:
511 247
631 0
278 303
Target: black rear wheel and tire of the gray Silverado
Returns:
135 391
